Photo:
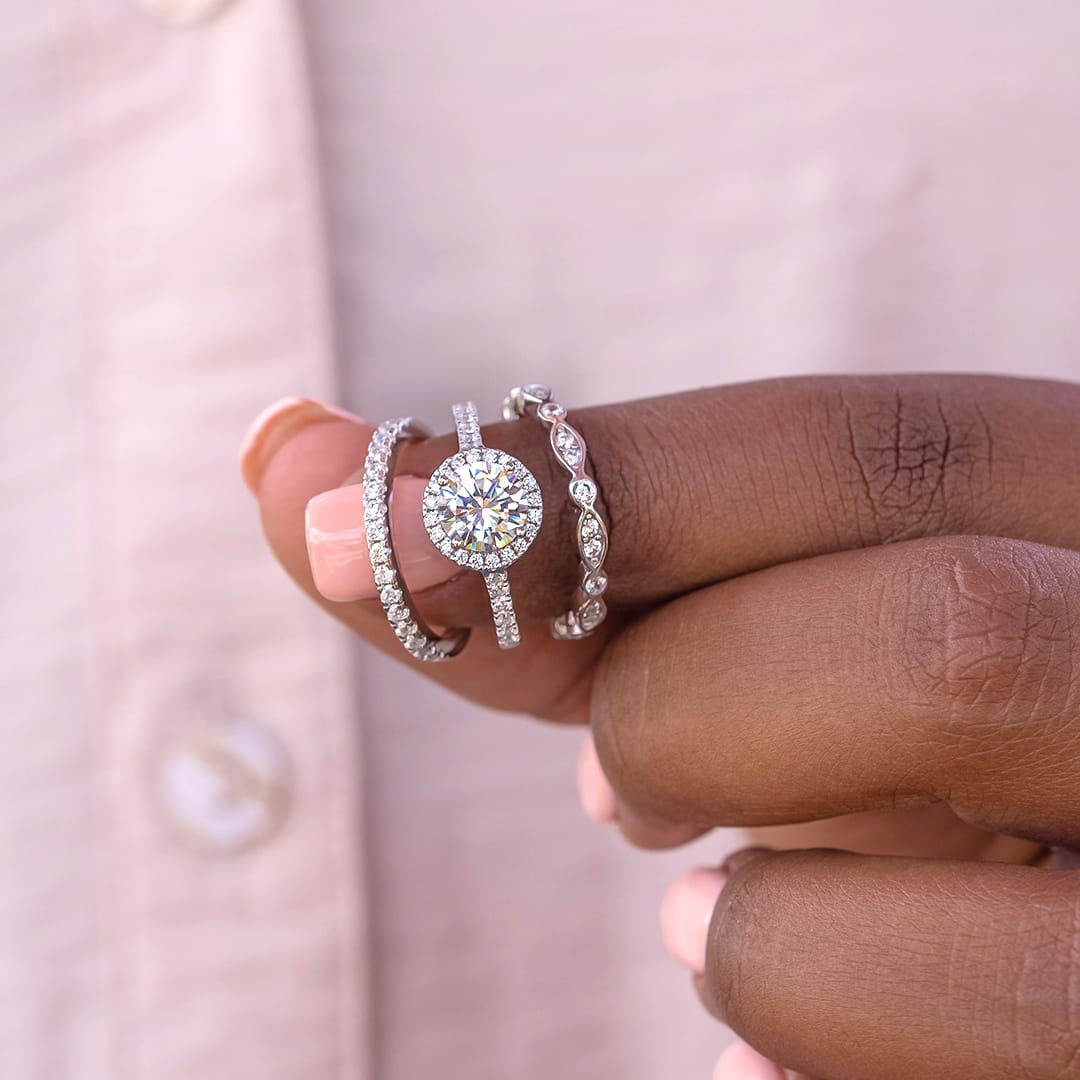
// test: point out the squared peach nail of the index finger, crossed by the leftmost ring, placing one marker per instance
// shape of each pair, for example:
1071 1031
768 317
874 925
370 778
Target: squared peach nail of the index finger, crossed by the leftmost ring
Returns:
337 544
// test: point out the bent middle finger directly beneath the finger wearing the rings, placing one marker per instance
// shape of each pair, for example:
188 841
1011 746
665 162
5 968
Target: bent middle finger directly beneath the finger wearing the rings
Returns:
937 671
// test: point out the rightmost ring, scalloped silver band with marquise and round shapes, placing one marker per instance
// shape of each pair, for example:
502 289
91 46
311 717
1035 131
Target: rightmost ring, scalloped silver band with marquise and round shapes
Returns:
589 610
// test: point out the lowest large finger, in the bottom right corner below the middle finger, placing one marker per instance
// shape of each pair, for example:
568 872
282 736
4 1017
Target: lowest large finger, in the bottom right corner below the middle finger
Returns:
866 968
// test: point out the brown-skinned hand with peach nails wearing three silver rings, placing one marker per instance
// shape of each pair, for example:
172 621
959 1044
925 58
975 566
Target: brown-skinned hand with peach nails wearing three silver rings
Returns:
815 615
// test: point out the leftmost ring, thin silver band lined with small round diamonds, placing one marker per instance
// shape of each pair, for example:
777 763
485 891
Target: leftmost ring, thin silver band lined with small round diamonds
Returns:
412 631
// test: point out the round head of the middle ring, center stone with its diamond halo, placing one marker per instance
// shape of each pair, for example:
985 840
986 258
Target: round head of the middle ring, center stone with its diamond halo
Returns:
483 509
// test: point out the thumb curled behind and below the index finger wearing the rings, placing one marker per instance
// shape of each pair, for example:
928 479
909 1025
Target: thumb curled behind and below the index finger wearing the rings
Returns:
545 678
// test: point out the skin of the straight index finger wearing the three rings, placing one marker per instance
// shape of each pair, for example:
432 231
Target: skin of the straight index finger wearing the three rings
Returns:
705 487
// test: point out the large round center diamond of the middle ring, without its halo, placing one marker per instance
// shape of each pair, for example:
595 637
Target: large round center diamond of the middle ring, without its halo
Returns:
481 506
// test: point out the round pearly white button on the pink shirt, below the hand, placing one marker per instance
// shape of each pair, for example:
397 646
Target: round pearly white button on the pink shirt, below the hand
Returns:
225 785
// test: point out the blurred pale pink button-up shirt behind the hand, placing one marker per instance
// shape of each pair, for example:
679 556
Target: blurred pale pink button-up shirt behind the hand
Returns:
234 845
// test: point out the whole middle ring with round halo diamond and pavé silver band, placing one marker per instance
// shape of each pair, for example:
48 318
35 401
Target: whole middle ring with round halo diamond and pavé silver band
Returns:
483 508
